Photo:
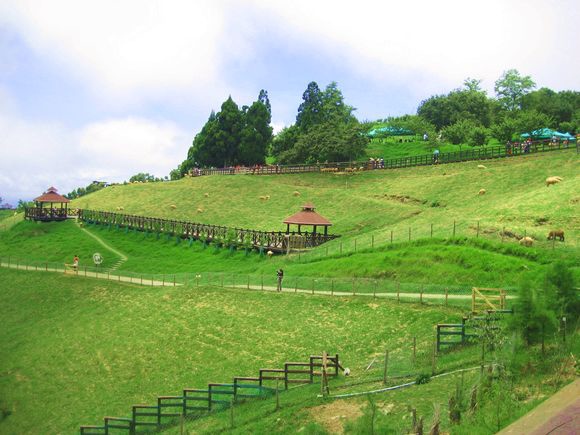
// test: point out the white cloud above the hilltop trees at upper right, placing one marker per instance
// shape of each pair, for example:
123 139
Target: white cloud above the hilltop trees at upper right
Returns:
432 46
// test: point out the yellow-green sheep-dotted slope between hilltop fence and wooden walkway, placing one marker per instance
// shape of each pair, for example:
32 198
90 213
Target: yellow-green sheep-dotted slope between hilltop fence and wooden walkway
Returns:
516 197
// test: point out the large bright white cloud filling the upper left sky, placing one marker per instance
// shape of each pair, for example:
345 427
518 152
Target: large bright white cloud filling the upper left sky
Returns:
126 49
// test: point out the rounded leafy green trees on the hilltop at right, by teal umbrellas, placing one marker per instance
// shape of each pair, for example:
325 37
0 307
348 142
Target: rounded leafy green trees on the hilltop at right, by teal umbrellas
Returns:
467 115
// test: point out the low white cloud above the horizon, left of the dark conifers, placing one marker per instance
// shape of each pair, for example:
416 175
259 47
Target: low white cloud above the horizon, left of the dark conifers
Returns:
36 155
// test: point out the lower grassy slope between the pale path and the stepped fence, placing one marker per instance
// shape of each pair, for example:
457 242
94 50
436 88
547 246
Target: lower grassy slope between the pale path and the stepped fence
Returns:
95 348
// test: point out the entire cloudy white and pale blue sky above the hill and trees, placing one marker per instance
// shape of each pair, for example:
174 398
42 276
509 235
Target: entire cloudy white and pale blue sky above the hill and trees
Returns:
101 90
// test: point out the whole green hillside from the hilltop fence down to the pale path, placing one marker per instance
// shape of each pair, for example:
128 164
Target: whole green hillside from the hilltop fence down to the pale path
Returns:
367 209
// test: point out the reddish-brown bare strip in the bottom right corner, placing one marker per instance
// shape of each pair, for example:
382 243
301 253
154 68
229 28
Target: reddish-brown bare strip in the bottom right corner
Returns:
558 415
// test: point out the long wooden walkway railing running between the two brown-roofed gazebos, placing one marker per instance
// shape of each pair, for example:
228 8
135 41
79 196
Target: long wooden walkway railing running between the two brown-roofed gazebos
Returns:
271 240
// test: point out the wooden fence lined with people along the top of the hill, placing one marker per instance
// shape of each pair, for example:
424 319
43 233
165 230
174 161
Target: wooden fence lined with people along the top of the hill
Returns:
470 154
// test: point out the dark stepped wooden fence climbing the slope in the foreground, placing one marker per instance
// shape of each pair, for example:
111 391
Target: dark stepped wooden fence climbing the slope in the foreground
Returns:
194 402
